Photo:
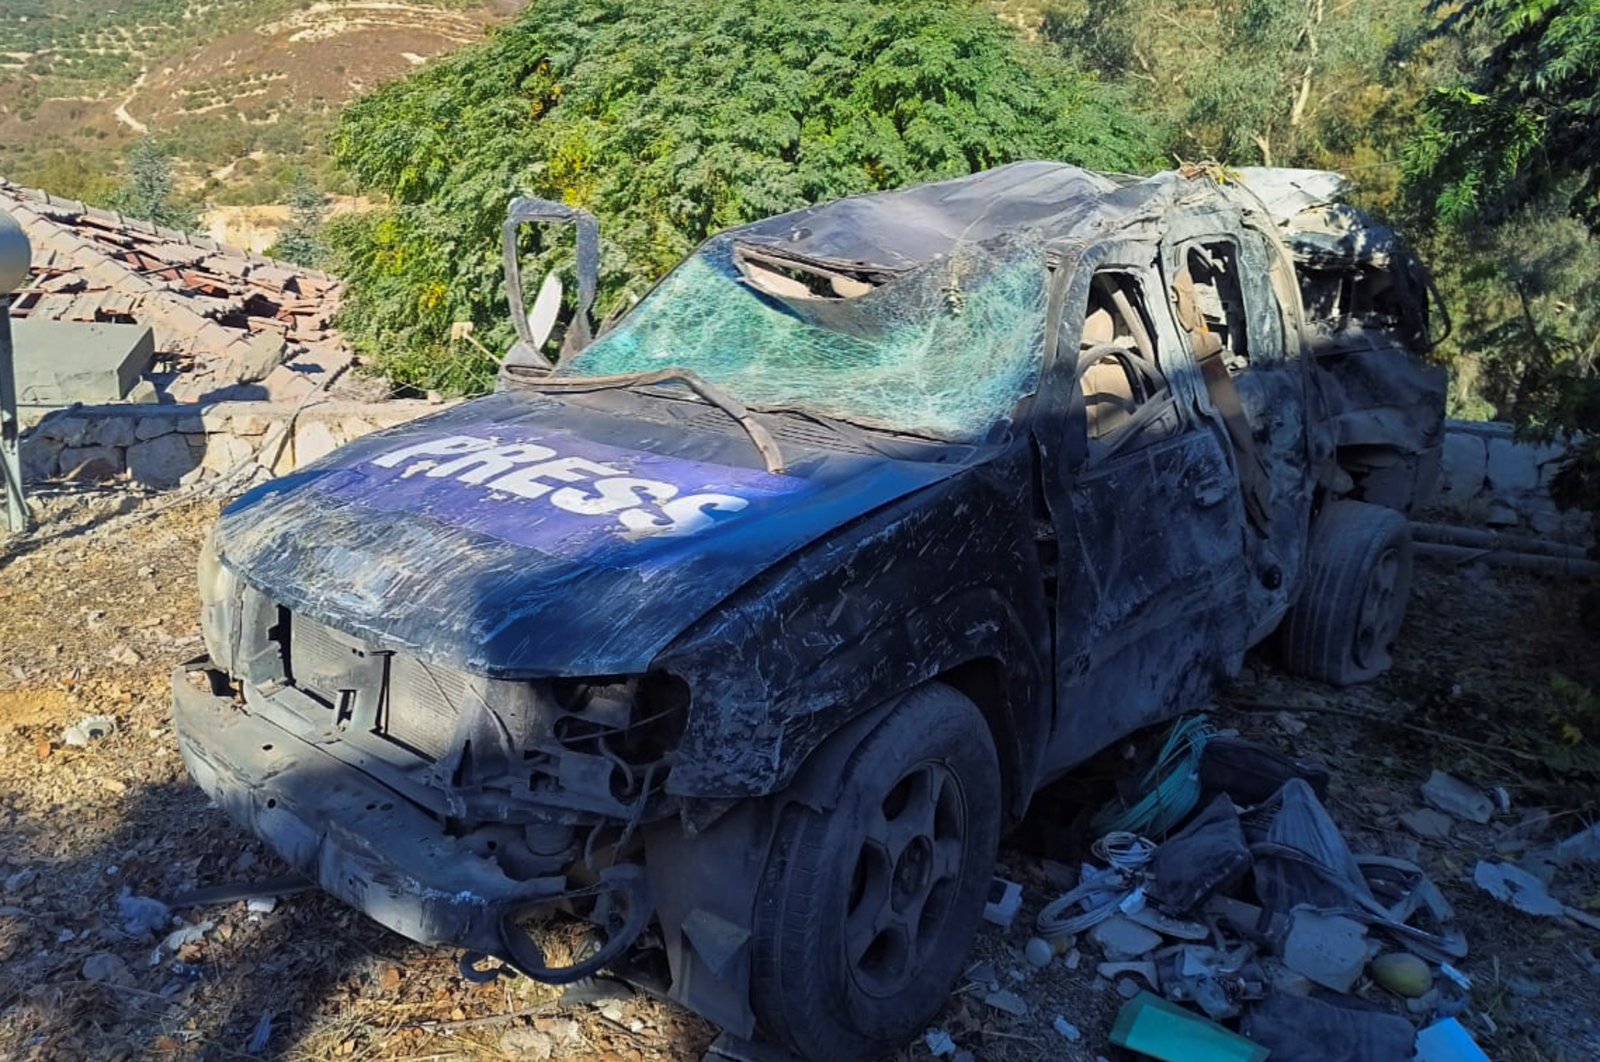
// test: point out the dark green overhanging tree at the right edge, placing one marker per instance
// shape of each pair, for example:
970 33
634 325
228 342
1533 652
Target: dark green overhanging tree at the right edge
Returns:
1506 162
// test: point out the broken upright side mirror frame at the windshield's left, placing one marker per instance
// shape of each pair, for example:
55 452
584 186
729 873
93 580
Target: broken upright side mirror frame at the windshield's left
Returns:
537 325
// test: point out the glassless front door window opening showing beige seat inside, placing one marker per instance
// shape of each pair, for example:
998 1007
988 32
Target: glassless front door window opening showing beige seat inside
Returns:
1119 370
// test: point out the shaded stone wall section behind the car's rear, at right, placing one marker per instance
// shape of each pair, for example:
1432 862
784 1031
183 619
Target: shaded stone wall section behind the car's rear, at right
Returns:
1490 477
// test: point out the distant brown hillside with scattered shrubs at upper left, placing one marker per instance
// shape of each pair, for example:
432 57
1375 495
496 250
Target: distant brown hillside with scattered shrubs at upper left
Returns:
239 90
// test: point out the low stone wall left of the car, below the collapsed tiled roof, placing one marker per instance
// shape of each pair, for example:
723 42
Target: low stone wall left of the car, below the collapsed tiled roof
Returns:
174 445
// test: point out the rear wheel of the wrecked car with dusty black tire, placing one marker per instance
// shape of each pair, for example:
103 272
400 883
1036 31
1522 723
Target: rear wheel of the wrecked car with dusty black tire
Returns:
1353 601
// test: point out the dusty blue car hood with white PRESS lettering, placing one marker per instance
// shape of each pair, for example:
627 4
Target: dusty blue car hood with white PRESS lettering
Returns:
521 537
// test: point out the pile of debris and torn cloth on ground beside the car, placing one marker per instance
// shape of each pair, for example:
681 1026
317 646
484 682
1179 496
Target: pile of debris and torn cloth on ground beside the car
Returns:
1254 930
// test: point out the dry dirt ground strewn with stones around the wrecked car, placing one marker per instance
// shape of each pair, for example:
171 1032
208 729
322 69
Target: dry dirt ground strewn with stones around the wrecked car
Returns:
98 607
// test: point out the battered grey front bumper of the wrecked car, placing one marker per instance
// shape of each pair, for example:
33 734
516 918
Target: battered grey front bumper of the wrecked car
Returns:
359 839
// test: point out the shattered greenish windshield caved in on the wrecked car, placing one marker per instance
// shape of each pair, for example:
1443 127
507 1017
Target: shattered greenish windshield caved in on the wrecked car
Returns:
945 349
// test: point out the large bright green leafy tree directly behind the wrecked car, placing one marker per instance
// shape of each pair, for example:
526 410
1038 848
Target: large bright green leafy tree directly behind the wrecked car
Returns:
673 121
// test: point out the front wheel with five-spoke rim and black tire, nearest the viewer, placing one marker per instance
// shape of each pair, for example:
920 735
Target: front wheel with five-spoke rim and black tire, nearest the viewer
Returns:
857 944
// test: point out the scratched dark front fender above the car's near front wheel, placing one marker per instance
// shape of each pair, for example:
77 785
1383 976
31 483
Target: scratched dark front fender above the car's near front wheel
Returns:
927 586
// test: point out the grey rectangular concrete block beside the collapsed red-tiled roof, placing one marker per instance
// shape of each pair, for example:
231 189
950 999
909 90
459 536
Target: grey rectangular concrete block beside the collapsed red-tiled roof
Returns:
62 362
